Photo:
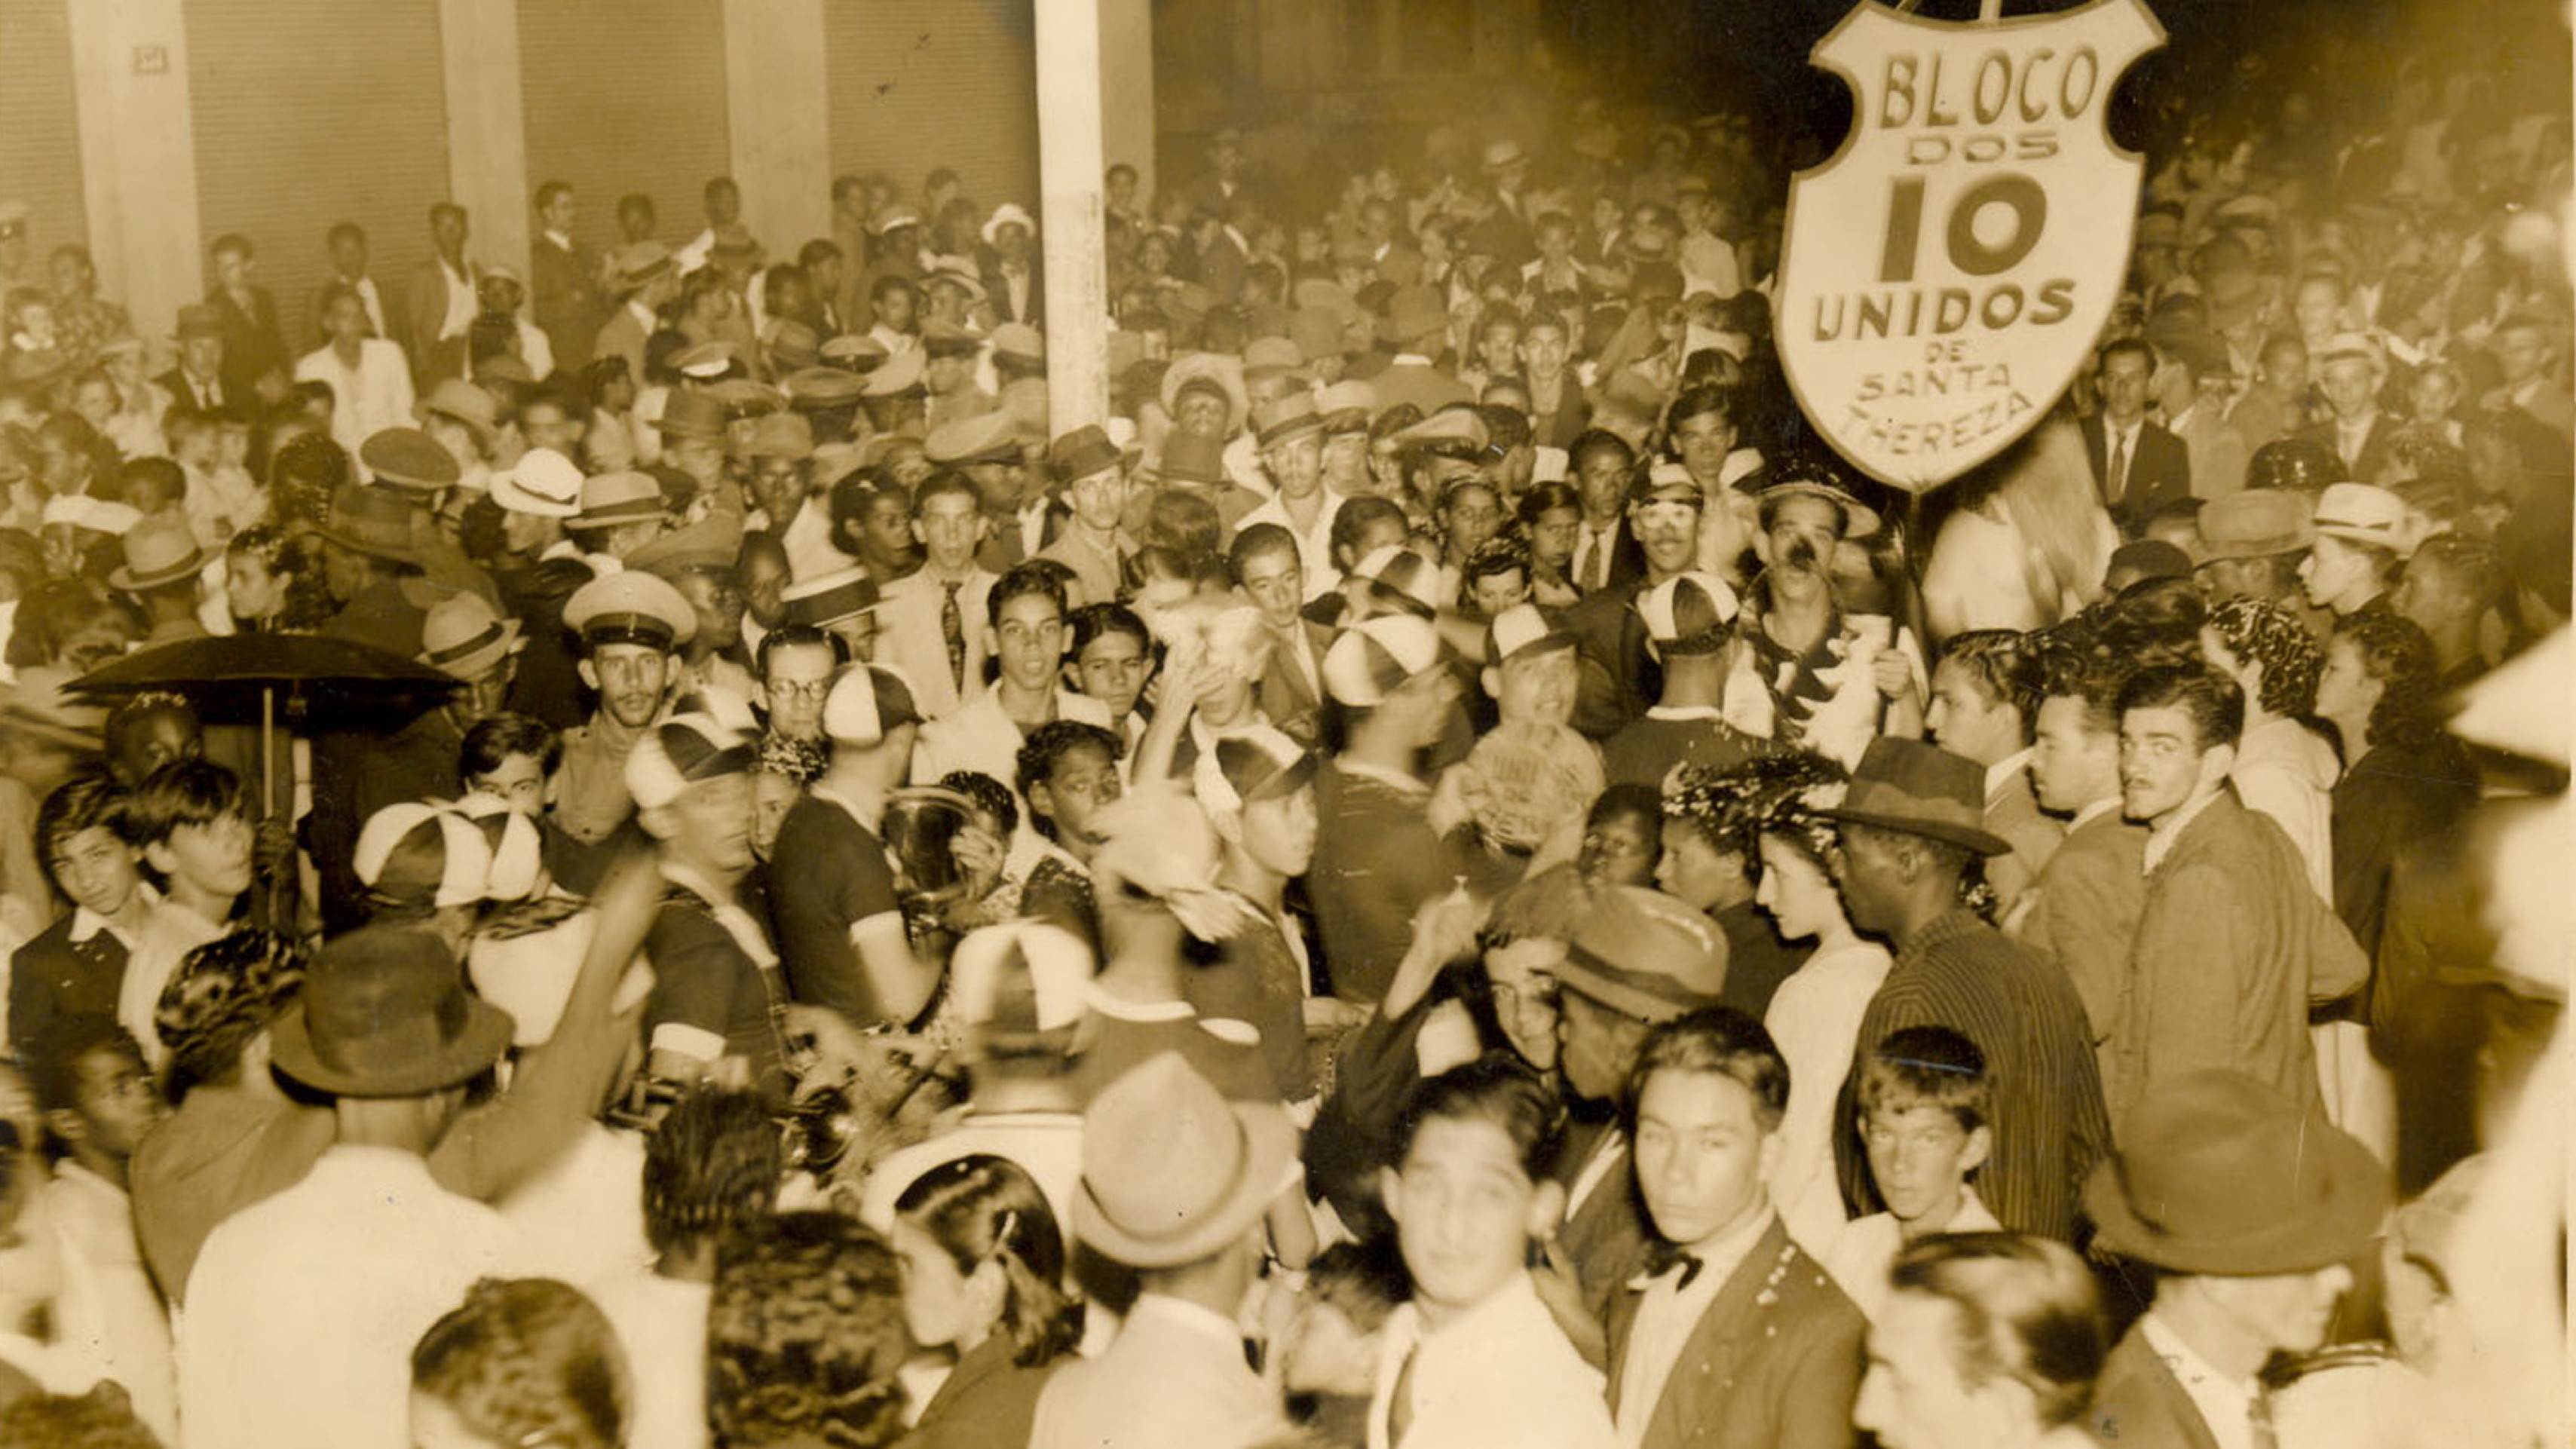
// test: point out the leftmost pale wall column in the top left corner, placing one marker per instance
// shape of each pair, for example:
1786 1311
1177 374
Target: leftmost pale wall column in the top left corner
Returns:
138 156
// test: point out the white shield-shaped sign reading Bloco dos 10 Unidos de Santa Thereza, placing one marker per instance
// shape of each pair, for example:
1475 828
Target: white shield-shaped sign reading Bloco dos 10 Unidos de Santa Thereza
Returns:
1949 269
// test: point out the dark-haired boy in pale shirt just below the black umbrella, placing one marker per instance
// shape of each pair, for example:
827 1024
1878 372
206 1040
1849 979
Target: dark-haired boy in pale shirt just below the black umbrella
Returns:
194 829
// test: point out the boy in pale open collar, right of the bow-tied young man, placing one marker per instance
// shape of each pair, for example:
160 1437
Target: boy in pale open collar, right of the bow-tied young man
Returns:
1923 1125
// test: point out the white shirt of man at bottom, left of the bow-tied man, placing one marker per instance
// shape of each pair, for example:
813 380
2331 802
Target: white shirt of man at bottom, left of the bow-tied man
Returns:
1501 1376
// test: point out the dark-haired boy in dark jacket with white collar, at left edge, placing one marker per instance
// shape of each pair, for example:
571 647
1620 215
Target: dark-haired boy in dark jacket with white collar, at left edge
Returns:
79 963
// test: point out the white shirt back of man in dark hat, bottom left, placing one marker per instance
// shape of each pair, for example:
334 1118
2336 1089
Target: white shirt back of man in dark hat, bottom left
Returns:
305 1308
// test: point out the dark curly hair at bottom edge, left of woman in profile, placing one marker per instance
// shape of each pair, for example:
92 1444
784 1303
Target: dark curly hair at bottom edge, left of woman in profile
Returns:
805 1337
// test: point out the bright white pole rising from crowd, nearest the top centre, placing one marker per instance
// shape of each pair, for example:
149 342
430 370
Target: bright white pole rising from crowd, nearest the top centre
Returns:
1078 344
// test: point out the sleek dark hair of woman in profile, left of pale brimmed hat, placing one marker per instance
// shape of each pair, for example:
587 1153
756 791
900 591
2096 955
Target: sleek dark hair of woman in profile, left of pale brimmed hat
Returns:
980 1211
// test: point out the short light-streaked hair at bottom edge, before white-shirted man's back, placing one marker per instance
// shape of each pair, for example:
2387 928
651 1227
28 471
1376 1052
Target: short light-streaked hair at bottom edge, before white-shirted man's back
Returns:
529 1363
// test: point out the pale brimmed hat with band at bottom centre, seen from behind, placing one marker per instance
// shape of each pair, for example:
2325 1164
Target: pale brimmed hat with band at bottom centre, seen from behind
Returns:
1173 1172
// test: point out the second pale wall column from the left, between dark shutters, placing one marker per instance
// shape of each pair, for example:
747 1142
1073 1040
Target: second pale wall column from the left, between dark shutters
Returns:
488 128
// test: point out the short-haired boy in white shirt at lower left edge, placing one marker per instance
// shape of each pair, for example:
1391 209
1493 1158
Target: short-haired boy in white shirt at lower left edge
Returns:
99 1102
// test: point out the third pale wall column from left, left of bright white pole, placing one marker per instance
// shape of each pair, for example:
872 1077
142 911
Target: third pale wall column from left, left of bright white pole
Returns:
779 120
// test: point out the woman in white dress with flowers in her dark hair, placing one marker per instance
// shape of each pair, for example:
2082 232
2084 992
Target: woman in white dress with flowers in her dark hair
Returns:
1815 1015
